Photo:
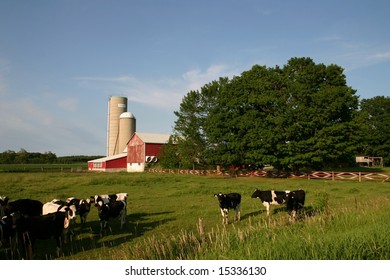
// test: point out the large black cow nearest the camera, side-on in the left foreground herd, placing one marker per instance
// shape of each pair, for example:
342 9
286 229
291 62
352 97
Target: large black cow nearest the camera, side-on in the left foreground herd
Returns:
31 228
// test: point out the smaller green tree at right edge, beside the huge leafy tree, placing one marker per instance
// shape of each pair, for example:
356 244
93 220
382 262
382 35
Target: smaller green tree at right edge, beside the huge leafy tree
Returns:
374 127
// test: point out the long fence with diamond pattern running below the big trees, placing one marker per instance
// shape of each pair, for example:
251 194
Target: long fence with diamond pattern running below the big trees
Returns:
329 175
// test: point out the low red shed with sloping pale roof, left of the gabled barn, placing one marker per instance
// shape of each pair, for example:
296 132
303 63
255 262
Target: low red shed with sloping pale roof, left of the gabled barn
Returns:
109 164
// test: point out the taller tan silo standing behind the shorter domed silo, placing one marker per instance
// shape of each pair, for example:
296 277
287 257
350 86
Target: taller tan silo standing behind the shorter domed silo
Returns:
116 106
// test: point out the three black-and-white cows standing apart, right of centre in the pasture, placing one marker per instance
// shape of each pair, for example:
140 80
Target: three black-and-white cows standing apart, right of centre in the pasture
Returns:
294 201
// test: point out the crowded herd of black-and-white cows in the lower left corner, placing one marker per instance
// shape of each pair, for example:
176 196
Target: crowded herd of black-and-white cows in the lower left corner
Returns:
26 220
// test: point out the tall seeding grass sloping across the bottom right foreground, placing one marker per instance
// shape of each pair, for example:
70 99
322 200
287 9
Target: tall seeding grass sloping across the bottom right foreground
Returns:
340 235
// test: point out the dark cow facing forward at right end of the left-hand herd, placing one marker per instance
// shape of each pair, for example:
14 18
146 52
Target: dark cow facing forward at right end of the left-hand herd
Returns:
112 209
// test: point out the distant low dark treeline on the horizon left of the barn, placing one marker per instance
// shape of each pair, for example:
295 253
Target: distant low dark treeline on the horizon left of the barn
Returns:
25 157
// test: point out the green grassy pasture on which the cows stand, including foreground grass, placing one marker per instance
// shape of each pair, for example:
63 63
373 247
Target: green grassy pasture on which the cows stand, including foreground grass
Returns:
342 220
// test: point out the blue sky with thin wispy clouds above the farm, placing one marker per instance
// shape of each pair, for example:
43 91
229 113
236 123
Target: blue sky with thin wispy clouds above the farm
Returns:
61 60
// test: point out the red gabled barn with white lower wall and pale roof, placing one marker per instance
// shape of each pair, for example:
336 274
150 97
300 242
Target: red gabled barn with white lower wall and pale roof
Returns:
144 148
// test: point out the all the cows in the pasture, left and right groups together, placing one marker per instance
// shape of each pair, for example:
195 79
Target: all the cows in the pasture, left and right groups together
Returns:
26 220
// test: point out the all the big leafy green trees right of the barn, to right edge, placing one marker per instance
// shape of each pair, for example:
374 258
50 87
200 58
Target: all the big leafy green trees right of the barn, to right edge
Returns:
299 116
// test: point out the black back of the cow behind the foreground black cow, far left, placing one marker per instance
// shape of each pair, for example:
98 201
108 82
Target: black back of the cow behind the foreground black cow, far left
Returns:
29 207
